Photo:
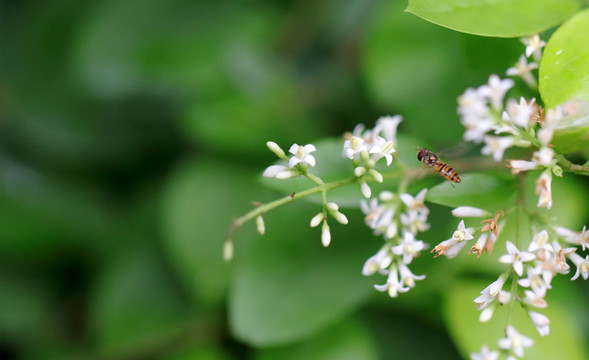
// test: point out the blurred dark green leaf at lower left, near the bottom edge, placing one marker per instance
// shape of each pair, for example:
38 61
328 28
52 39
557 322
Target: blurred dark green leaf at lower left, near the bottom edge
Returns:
134 302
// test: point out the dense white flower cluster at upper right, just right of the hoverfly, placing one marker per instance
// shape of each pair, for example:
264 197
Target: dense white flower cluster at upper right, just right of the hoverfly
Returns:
482 112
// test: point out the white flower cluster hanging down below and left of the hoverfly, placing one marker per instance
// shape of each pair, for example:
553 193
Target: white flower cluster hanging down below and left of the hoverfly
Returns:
410 215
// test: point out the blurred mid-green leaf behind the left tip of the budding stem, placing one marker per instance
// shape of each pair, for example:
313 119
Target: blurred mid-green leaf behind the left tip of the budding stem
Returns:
198 203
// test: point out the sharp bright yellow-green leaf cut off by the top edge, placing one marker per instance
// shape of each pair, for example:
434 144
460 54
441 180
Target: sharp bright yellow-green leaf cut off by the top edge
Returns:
495 17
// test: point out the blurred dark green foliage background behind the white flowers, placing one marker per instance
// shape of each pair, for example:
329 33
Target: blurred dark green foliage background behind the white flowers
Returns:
133 131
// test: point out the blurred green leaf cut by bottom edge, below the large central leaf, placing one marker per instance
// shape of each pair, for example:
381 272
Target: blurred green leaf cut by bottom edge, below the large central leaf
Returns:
346 340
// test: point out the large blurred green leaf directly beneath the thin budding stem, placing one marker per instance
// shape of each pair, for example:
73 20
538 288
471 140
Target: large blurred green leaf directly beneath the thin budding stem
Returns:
288 287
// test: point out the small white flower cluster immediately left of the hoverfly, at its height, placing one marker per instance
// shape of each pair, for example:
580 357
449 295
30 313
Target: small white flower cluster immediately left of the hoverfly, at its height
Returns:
366 146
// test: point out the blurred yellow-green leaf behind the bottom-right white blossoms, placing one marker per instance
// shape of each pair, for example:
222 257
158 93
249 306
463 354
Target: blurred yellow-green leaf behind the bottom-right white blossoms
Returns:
461 316
